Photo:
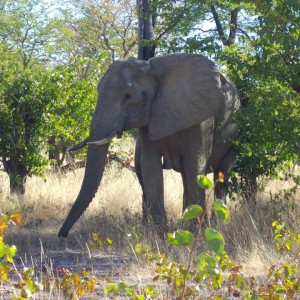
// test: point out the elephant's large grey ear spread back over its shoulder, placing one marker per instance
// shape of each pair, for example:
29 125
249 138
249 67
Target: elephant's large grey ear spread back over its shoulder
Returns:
189 92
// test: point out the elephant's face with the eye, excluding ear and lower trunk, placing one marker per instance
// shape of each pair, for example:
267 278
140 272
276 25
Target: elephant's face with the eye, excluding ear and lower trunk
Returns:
125 94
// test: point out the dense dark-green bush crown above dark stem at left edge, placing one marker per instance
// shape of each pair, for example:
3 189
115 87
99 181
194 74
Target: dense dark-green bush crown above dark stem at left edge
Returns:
24 98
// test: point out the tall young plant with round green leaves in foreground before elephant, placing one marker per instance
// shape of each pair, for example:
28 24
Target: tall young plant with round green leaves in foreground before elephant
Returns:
186 280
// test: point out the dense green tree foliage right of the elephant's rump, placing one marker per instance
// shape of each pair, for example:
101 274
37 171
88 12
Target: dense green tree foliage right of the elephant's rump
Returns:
263 63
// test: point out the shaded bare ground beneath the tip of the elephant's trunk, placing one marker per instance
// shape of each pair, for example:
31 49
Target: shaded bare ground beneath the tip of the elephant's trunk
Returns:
49 256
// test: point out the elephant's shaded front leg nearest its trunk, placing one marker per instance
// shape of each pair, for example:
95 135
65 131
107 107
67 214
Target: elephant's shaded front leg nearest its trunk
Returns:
152 185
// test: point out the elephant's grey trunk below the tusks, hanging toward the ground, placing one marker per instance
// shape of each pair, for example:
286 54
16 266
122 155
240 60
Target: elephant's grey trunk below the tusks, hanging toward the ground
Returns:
96 159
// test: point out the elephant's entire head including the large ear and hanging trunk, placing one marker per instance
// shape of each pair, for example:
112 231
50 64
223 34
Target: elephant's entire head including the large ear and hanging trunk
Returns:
168 94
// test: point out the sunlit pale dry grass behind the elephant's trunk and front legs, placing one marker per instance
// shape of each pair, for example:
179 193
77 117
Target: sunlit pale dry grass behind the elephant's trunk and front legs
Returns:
48 202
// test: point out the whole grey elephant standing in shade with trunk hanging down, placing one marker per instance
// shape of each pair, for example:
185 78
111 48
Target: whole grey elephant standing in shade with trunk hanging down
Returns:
181 105
